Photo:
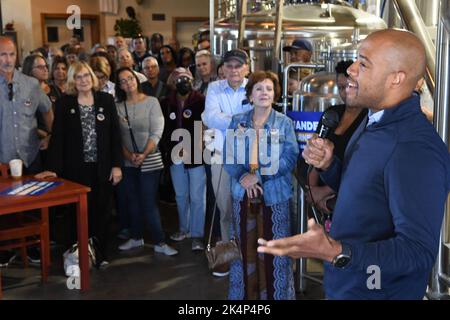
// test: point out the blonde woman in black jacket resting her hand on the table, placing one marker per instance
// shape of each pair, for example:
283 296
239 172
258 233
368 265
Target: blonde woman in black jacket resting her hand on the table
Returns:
86 148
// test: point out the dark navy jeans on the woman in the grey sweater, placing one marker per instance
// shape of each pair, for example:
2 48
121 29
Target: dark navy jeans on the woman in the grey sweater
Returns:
140 190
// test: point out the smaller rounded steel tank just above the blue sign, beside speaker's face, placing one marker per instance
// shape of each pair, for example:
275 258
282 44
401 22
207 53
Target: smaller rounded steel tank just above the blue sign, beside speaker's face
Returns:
317 92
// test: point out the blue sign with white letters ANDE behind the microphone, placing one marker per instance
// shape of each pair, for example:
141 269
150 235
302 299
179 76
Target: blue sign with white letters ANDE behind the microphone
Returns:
305 124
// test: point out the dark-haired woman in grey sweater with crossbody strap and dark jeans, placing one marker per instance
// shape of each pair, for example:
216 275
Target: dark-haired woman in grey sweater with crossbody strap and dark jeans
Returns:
141 126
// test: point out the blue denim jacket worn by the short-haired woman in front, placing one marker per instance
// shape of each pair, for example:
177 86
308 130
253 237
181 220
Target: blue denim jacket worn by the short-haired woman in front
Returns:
279 134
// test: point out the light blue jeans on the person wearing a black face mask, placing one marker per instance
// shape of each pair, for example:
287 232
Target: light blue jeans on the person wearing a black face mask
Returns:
190 193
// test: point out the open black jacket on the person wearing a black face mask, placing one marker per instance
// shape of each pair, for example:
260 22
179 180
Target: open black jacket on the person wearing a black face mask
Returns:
192 113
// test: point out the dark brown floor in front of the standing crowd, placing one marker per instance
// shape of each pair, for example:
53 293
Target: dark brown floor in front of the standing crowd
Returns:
136 274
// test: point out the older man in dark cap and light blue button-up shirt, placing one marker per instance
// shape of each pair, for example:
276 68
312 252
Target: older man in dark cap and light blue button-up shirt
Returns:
224 99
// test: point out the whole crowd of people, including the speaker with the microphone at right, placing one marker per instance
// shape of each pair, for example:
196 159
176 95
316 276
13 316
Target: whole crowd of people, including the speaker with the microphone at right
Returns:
115 119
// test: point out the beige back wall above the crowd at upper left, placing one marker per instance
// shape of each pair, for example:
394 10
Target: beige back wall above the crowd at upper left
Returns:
26 15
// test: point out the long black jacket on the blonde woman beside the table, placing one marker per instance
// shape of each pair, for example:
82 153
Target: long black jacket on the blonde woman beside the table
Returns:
65 153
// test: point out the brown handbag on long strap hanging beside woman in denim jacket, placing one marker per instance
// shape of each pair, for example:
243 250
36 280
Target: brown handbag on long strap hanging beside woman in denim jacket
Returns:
224 252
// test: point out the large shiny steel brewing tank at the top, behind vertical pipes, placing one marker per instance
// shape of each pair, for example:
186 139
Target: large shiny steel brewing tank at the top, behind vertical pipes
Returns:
326 26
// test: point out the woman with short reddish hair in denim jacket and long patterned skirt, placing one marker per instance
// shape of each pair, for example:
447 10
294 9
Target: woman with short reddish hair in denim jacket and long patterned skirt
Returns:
261 172
